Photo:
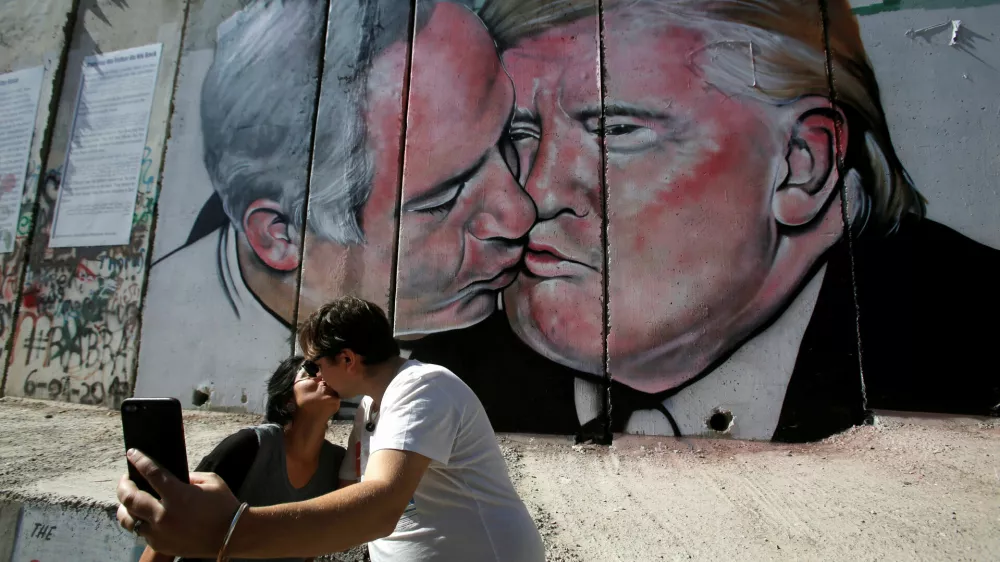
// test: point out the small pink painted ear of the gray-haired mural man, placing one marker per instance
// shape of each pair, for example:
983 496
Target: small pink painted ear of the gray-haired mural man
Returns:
270 235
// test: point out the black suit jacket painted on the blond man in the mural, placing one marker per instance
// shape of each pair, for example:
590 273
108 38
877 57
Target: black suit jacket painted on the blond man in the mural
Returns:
928 300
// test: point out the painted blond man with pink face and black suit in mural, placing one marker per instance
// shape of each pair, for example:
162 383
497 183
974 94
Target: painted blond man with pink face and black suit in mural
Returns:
731 168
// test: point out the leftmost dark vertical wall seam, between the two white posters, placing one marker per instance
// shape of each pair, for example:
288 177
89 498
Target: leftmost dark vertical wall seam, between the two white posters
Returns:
43 156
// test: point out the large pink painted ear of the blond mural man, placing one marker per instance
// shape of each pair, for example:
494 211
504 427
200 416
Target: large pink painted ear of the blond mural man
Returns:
811 162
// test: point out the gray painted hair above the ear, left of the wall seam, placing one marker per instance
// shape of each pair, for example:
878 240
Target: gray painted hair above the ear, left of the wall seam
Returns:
257 105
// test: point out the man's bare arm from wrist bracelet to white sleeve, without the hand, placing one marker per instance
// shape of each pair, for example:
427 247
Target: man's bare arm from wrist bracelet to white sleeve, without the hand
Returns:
337 521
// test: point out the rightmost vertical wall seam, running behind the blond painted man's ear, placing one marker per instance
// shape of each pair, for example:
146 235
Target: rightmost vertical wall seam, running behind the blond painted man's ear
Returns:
844 200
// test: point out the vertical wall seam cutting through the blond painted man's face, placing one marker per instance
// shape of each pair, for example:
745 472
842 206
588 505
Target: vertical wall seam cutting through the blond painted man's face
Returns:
605 222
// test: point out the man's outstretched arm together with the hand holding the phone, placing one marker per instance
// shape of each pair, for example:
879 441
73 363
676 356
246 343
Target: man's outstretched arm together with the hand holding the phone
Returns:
191 520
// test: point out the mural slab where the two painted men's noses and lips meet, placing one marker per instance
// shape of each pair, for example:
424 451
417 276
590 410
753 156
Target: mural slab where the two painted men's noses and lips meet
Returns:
528 348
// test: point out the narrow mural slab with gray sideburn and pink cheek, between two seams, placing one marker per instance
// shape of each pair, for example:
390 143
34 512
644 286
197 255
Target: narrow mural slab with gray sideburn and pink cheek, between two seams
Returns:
350 234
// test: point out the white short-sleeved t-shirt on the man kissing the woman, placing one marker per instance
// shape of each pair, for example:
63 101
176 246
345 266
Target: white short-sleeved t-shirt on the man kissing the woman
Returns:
465 507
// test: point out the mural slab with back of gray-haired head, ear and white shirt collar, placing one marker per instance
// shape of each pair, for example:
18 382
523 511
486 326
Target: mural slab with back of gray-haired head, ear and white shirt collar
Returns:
219 306
